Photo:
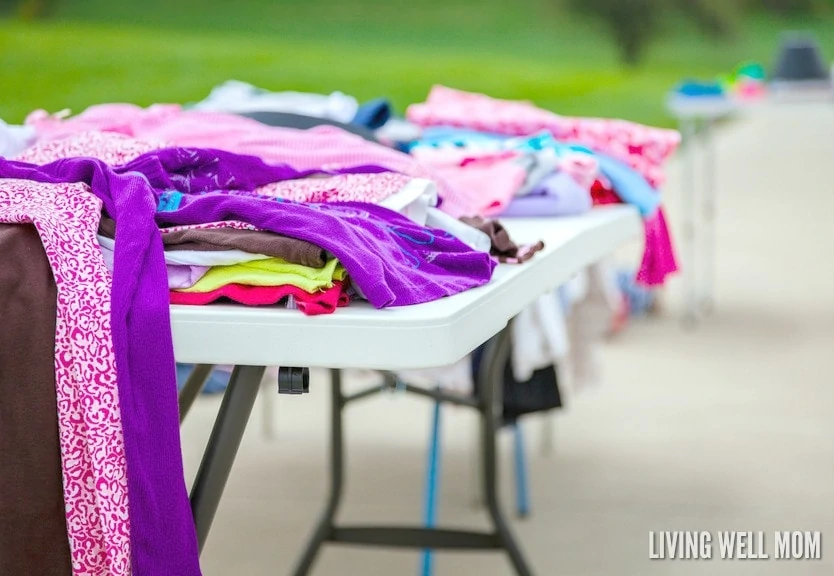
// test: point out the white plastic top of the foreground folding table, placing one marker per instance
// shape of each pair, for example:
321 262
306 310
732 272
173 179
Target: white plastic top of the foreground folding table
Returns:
422 336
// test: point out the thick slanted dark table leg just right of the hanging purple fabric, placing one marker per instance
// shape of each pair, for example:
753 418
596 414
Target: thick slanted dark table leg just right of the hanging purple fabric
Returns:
222 446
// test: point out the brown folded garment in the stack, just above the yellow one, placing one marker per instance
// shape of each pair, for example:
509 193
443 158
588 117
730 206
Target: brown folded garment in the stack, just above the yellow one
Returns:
255 242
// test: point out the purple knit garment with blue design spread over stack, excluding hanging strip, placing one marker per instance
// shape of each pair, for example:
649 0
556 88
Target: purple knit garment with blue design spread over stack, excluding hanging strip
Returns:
394 261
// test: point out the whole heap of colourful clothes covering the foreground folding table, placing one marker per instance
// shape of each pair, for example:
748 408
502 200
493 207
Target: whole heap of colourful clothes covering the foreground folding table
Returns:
307 201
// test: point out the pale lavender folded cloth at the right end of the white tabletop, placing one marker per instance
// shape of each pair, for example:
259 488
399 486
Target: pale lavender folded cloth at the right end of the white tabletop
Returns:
556 195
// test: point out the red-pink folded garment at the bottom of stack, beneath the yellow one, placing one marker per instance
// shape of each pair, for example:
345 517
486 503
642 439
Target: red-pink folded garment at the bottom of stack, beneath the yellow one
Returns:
324 302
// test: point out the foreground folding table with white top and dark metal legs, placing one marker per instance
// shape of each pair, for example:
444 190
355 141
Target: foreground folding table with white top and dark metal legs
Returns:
434 334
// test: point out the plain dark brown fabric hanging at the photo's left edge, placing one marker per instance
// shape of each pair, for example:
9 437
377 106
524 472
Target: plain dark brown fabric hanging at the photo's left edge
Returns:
33 532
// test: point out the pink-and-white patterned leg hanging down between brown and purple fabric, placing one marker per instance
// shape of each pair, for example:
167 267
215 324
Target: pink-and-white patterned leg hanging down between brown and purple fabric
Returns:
92 445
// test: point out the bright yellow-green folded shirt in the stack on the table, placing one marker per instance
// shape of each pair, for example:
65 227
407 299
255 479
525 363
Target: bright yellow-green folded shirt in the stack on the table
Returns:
270 272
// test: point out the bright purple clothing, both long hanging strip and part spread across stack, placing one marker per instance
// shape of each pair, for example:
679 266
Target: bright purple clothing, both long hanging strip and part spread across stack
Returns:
393 260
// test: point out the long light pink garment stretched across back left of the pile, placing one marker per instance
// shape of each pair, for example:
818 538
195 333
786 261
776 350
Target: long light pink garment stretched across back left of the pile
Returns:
320 148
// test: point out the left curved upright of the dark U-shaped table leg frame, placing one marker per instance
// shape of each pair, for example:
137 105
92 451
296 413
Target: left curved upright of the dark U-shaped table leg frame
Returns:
325 525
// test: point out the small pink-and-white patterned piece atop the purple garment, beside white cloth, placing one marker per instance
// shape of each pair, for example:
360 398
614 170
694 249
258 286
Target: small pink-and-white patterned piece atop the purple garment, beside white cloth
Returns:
344 188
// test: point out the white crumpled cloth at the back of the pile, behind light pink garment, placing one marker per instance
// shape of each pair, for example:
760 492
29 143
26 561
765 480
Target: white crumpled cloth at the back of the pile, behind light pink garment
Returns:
241 97
